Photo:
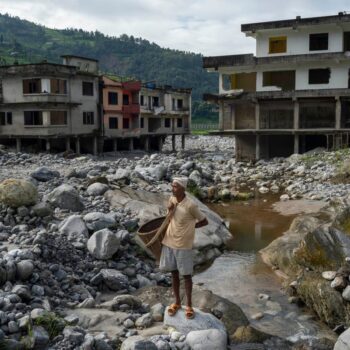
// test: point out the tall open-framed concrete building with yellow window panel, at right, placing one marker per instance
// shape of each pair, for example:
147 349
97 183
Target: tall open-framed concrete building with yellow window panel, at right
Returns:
293 95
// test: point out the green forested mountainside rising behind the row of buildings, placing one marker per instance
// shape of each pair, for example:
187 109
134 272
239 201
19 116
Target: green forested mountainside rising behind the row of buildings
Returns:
25 42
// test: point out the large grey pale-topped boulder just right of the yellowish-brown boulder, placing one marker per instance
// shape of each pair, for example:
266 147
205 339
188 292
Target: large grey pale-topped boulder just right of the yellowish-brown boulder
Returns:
66 197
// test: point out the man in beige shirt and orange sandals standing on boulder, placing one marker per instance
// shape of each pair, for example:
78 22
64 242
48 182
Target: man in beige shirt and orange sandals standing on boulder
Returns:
177 253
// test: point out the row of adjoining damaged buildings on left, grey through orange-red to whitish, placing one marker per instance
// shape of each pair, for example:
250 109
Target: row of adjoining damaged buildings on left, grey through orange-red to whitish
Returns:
69 106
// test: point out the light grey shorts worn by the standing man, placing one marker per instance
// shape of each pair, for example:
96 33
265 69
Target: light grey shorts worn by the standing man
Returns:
176 259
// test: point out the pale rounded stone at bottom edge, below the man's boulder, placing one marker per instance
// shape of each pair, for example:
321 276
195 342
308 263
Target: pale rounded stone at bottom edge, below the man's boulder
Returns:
209 339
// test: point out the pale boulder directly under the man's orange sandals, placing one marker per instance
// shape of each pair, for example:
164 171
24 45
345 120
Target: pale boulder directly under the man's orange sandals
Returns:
201 321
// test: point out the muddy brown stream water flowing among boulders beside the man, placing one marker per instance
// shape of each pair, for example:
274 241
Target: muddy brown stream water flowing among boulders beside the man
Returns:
240 275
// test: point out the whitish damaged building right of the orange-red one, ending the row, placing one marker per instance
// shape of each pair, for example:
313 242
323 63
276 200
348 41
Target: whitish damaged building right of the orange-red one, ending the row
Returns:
164 111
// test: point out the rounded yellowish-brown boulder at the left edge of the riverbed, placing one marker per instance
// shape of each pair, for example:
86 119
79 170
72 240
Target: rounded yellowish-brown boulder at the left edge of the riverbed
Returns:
16 193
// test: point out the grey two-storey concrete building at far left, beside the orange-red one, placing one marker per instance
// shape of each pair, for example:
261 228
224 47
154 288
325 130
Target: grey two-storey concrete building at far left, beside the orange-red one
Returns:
51 106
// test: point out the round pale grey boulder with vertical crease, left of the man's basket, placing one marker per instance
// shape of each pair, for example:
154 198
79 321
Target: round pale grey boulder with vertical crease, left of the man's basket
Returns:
103 244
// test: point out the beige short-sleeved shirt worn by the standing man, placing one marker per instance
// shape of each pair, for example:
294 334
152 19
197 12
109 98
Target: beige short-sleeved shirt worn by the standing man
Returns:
180 232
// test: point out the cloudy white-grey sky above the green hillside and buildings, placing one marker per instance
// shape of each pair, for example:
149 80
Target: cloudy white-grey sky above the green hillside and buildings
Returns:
210 27
